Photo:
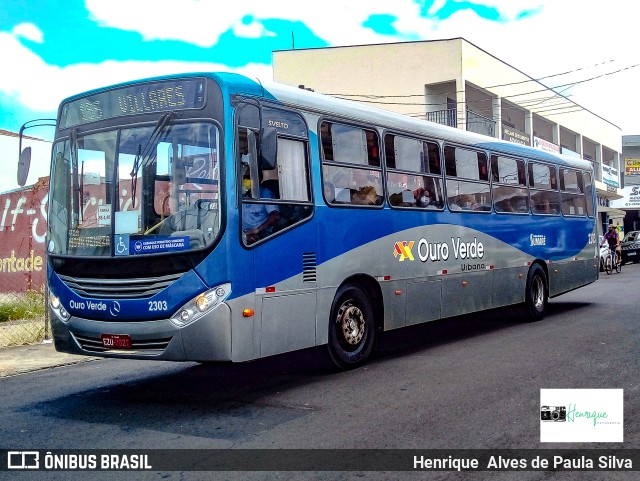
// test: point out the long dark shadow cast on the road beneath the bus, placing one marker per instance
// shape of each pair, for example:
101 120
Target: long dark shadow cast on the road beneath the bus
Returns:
232 402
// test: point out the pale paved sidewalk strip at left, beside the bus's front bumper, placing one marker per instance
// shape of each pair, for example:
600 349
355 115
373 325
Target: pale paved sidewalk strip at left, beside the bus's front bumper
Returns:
23 359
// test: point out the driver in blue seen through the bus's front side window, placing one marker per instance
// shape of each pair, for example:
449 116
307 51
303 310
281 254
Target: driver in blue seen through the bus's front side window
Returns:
257 219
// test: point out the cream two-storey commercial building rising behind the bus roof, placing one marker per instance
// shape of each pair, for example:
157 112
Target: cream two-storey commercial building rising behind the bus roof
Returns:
456 83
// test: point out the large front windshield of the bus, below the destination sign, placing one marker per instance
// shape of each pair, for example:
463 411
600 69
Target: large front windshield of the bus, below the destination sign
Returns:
135 191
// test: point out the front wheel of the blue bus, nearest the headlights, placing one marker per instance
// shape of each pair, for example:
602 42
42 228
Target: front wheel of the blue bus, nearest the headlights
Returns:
351 328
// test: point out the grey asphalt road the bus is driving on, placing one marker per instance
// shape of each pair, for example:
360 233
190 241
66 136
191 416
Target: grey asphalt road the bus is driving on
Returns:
468 382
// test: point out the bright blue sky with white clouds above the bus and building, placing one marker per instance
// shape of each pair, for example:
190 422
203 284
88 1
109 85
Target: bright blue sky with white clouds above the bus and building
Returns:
51 49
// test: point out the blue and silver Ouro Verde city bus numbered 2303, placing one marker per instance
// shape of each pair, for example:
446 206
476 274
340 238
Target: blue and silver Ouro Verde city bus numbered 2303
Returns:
213 217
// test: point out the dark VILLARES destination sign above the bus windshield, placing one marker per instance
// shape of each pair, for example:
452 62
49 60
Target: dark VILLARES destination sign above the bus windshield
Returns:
134 99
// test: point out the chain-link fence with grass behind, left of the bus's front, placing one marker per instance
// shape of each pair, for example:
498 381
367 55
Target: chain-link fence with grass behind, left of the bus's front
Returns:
23 317
